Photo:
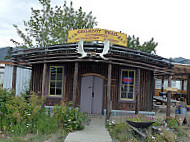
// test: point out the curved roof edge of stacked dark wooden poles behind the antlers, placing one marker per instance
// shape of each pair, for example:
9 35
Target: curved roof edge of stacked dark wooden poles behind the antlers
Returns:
68 53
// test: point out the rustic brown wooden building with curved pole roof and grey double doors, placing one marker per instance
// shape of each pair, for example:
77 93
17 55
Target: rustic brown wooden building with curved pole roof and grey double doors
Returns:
123 80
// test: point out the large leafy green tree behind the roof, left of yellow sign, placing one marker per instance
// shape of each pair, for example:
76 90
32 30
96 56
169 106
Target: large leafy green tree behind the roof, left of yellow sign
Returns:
50 25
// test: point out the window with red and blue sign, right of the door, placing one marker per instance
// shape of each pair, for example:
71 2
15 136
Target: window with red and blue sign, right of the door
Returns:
127 85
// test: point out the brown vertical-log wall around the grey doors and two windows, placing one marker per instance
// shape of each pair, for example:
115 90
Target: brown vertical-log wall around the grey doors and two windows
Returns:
100 69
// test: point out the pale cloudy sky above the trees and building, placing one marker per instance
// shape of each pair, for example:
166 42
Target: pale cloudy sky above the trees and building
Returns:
167 21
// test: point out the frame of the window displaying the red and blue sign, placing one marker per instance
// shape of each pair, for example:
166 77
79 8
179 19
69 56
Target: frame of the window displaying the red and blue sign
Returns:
134 85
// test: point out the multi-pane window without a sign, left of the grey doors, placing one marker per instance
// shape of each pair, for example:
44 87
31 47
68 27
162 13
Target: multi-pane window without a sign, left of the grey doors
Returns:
56 81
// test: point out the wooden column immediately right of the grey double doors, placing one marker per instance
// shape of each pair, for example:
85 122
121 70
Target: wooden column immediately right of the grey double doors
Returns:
108 97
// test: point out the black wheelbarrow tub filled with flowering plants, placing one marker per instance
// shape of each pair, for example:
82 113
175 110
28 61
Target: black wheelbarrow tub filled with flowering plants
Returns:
140 120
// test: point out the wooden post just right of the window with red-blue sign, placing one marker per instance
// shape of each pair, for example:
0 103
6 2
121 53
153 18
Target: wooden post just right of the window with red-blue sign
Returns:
138 92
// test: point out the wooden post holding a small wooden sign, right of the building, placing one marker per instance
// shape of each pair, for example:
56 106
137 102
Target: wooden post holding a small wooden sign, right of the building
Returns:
168 109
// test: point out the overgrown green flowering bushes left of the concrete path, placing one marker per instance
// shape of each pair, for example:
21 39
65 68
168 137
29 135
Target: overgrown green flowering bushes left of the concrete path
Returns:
19 116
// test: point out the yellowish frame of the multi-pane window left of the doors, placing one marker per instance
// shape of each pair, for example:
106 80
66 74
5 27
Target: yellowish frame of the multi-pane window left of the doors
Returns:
49 81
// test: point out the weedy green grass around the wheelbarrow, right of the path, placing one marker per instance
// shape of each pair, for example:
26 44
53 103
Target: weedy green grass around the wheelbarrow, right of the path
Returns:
123 133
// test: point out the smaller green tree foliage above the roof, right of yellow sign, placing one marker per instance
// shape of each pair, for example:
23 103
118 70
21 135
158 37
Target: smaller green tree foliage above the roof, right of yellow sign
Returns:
149 46
